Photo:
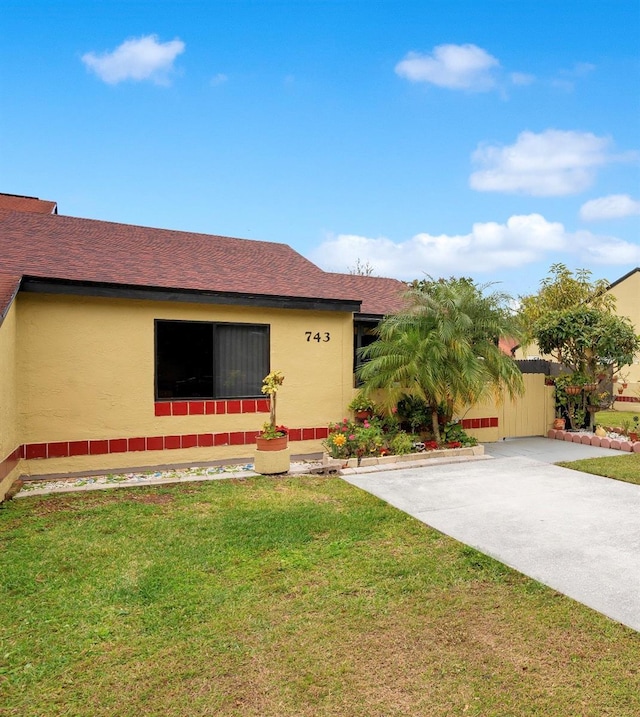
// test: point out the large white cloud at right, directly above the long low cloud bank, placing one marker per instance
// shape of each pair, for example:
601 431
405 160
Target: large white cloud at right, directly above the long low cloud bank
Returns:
552 163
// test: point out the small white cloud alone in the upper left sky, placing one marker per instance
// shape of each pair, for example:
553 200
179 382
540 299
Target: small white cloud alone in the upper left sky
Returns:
138 59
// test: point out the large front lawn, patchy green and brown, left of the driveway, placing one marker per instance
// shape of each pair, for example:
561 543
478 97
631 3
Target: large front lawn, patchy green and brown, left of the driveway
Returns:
282 597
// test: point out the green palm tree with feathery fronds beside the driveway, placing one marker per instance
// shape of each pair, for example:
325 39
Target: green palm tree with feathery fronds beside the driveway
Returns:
443 348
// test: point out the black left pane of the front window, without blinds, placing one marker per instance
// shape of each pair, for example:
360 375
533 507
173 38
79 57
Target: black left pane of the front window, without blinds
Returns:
184 359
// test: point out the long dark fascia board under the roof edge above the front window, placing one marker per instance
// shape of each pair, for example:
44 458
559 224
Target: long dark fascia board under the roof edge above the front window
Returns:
150 293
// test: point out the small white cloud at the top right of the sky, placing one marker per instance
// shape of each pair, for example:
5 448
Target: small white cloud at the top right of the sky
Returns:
458 67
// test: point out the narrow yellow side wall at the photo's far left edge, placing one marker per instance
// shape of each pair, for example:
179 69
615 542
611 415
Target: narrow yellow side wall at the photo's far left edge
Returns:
9 434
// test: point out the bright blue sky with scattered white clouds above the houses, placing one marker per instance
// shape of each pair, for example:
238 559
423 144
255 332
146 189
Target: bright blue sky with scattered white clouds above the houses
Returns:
452 137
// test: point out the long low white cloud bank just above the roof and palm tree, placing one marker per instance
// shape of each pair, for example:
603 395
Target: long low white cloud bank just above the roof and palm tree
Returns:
488 248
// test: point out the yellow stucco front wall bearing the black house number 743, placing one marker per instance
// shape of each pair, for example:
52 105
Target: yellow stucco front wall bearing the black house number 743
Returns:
86 371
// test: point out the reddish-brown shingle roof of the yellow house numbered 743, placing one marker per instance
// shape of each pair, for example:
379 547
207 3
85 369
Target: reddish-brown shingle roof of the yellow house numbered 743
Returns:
84 250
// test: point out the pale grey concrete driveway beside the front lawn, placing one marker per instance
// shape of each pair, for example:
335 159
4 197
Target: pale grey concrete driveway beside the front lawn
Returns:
577 533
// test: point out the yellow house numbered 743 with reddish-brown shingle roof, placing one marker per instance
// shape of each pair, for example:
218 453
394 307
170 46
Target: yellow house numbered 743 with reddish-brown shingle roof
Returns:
125 346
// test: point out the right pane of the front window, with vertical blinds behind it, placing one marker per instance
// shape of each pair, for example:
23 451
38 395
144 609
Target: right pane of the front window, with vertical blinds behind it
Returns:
241 360
